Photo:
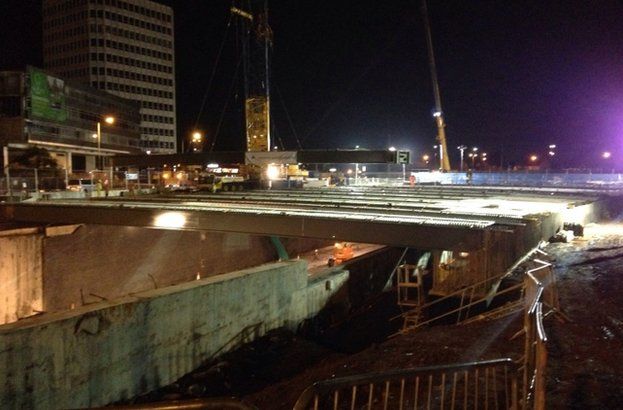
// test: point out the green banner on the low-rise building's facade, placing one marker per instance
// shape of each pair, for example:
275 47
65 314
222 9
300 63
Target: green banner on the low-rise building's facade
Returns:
47 96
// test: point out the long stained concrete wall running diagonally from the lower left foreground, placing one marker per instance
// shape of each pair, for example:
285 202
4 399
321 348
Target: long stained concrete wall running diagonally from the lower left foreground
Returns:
101 353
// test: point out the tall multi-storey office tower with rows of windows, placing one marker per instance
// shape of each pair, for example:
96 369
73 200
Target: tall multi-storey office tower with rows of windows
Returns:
124 47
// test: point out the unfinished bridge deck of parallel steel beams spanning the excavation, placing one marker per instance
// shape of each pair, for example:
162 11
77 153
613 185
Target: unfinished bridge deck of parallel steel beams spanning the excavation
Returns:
424 218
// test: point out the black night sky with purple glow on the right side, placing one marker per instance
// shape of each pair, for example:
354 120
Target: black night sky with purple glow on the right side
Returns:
514 76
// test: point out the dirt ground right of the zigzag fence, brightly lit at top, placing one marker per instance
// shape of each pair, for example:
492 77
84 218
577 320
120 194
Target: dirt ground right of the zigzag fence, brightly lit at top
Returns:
585 367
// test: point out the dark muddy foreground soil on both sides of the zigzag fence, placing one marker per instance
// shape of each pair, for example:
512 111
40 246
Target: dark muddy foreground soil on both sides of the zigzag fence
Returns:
585 362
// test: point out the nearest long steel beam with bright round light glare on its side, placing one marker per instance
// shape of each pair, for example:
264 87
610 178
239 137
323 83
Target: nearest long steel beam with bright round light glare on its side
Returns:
421 234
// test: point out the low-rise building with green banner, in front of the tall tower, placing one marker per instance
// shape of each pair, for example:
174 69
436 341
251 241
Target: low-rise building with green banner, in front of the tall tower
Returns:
42 110
